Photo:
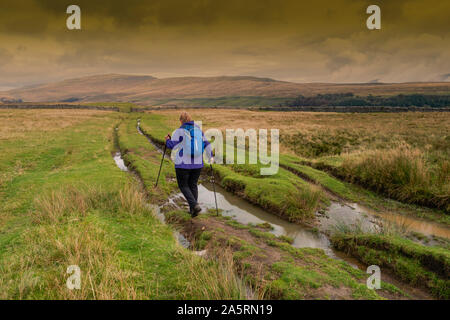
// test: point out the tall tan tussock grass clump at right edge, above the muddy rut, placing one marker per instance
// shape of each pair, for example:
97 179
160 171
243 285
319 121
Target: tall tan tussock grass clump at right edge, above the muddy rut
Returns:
402 173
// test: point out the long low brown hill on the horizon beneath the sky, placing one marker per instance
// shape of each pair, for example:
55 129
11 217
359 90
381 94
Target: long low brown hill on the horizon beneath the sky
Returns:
148 90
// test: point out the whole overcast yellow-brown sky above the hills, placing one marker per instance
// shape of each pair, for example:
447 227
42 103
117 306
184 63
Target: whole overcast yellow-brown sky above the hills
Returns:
301 41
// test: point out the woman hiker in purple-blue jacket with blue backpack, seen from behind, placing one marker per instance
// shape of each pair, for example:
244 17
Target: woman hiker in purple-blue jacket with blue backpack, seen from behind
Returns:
189 143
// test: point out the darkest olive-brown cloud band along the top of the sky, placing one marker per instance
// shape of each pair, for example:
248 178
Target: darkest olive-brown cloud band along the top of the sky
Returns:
406 15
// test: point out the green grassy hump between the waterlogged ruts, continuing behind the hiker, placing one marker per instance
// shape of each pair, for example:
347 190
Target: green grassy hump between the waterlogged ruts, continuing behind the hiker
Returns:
283 194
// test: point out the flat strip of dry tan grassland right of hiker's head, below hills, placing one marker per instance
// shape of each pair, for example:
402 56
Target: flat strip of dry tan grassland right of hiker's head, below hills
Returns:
369 131
